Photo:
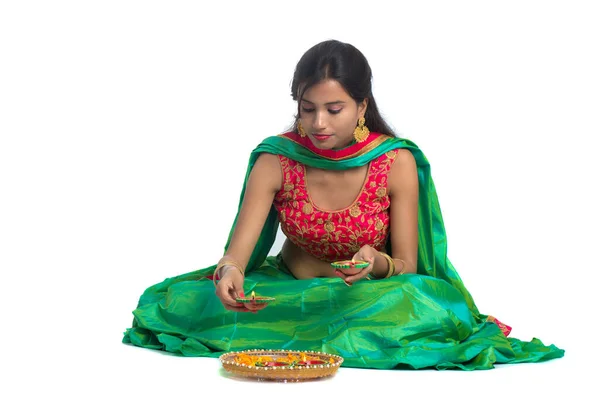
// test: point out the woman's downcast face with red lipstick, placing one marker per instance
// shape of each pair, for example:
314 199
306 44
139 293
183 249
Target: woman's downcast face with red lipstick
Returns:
329 115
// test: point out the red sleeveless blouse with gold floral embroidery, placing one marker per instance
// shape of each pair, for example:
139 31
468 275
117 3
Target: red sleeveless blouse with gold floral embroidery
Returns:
335 235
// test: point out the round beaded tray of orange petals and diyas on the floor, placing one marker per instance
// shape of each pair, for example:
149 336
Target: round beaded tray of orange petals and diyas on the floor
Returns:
286 365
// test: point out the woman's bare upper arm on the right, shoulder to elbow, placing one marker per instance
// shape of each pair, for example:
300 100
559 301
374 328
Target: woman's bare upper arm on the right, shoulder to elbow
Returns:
403 184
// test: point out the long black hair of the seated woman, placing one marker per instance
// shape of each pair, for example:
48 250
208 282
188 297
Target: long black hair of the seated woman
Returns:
345 64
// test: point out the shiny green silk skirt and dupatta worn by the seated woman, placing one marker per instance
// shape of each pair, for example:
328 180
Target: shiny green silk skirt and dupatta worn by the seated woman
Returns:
423 320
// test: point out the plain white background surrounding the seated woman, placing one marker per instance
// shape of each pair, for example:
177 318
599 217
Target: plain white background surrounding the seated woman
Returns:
125 131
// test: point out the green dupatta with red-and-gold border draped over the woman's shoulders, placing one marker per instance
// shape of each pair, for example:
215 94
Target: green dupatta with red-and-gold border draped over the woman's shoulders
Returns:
432 253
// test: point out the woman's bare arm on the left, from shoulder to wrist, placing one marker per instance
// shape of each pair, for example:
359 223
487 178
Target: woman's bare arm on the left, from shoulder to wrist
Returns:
264 182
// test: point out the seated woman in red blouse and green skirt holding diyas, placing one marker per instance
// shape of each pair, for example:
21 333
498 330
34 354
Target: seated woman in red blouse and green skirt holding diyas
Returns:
343 187
